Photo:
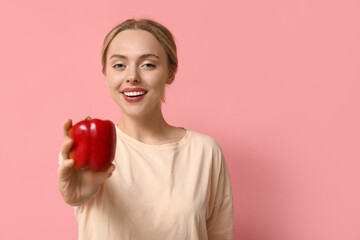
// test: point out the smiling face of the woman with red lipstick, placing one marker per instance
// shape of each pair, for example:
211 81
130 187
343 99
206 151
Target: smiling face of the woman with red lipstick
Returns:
136 64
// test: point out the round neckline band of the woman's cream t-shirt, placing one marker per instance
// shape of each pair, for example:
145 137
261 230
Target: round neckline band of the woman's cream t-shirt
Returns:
170 145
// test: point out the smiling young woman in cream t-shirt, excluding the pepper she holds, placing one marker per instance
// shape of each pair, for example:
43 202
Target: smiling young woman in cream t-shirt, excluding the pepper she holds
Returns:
166 182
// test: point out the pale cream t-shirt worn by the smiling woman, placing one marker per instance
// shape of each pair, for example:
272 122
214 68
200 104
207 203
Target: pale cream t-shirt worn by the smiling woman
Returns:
173 191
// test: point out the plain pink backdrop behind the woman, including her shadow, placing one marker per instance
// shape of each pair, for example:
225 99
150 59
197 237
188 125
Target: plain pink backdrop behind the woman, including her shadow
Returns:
276 83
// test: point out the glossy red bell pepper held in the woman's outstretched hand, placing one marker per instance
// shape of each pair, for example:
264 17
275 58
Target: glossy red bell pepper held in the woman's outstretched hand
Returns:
94 144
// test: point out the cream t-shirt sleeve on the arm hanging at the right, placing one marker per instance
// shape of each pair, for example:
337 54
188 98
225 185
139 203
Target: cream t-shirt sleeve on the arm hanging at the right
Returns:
220 212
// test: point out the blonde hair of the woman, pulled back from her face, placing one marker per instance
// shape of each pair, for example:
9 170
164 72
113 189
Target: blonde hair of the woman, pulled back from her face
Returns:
161 33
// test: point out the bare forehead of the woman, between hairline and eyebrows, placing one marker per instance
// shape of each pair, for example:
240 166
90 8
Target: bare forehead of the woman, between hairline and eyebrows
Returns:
135 43
